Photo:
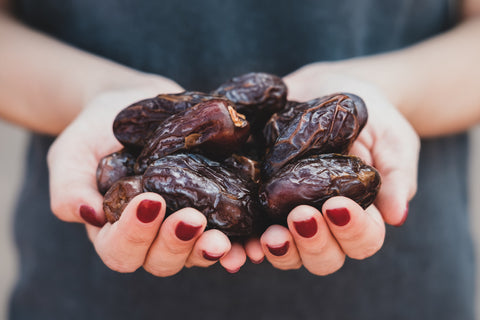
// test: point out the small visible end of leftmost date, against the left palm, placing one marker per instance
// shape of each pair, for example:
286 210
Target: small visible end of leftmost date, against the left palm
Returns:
113 167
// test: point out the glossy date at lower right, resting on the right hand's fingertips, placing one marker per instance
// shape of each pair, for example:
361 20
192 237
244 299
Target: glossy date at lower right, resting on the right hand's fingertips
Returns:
315 179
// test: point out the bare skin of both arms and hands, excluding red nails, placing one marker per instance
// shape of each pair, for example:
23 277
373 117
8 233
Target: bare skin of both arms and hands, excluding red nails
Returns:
80 95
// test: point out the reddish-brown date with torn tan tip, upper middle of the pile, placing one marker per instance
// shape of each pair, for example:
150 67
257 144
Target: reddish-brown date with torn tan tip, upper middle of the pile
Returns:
213 128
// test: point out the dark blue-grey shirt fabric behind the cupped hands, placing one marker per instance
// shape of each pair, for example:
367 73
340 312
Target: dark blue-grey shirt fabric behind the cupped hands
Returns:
425 270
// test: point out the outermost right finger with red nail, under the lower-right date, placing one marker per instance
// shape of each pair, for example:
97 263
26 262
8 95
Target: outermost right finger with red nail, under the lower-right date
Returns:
359 233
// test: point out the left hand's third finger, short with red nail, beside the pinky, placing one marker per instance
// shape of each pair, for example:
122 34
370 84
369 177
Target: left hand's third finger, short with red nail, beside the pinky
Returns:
209 248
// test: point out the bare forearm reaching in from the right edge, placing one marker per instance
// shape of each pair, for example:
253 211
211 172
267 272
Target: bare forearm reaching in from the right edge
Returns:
435 84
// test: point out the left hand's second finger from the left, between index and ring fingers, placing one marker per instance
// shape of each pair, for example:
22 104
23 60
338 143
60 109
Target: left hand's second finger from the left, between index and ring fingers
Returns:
174 242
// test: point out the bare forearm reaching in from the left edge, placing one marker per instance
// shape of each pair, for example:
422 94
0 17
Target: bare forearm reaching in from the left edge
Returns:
44 83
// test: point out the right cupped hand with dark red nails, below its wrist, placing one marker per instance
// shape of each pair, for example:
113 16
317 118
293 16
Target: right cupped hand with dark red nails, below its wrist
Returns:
321 240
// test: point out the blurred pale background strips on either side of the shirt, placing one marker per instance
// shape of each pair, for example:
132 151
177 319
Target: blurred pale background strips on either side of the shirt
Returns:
12 151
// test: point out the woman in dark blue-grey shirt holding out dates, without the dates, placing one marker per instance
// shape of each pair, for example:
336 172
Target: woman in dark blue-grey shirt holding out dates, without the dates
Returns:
57 88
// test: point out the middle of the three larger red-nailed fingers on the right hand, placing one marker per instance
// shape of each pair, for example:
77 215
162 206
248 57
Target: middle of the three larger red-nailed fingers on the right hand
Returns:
318 249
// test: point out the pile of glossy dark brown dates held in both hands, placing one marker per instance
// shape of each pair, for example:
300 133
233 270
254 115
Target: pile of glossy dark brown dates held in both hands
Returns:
242 154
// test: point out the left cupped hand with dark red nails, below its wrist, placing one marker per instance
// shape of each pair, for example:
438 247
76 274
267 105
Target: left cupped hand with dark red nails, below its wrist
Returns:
142 237
